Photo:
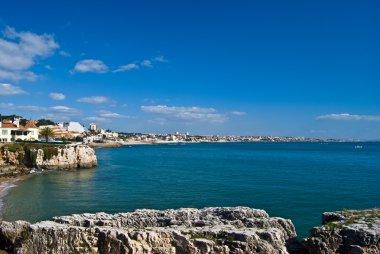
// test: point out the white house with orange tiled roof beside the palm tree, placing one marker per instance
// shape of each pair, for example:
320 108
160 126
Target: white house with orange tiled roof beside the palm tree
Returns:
12 131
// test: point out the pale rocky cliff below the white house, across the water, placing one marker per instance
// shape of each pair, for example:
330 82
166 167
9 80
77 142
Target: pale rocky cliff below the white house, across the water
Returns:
20 158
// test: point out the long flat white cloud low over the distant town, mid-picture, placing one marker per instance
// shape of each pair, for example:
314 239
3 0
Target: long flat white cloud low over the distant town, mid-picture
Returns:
187 113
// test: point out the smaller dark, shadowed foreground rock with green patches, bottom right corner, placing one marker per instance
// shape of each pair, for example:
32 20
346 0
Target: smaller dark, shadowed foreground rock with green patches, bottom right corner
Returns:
350 231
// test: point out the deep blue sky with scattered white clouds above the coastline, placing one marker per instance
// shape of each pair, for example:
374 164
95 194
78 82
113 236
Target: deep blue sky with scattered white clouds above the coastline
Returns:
298 68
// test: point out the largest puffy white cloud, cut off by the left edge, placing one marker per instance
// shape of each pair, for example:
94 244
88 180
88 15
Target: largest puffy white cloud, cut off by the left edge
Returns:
19 51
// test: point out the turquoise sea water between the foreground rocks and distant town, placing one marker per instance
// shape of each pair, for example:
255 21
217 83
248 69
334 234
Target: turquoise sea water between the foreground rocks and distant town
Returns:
298 181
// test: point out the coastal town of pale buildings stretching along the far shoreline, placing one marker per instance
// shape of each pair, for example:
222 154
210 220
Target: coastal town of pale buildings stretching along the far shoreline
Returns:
16 128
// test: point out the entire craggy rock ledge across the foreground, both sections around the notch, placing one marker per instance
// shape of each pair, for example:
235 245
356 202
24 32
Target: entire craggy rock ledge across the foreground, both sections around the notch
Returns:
220 230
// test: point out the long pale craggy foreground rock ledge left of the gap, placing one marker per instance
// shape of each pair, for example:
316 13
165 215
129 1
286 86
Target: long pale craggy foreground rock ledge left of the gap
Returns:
209 230
